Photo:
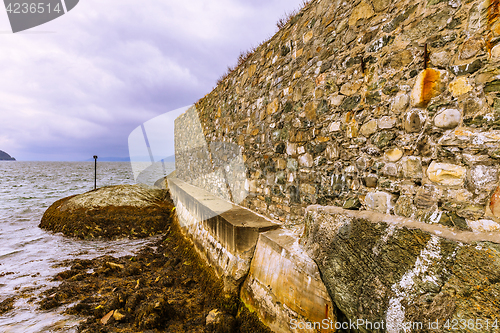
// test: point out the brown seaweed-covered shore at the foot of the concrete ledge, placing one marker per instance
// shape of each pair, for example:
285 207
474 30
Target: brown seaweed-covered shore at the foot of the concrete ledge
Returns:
165 287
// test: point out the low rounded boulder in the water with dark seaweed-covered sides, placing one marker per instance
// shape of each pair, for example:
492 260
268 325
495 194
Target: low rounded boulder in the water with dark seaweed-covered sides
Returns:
111 212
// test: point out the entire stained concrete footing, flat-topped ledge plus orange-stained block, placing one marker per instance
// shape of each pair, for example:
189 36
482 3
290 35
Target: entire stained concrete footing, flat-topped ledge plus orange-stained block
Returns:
256 258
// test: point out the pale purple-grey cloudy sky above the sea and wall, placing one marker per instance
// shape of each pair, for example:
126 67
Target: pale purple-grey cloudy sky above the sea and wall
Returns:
79 85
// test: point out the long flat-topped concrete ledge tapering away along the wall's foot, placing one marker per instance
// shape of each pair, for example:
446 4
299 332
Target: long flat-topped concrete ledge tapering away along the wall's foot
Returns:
224 234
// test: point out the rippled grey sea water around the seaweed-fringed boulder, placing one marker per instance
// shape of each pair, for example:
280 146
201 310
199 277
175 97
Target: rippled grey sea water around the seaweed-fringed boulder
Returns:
27 253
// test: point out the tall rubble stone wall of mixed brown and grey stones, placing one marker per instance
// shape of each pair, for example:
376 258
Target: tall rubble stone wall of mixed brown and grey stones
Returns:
342 107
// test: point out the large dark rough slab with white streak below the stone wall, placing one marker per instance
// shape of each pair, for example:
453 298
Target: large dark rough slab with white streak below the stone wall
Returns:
393 270
